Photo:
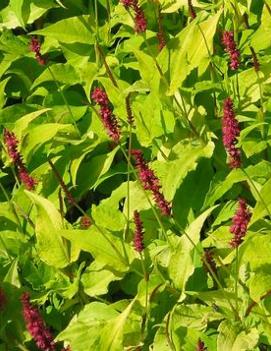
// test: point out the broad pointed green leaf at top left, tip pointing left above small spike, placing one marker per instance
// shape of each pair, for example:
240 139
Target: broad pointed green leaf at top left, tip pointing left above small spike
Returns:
70 30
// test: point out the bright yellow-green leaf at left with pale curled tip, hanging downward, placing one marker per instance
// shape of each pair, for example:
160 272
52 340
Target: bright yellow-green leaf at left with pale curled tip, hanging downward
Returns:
51 247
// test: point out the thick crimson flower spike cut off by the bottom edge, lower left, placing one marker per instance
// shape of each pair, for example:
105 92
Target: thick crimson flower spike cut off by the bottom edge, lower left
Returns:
36 326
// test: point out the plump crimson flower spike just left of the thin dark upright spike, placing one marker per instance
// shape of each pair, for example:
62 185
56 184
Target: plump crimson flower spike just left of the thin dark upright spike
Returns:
109 120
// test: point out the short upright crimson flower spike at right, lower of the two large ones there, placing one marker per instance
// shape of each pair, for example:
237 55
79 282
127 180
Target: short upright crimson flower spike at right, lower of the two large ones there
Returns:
240 223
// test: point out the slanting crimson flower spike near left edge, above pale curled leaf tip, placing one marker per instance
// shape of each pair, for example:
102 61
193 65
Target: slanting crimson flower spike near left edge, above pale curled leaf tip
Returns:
12 143
